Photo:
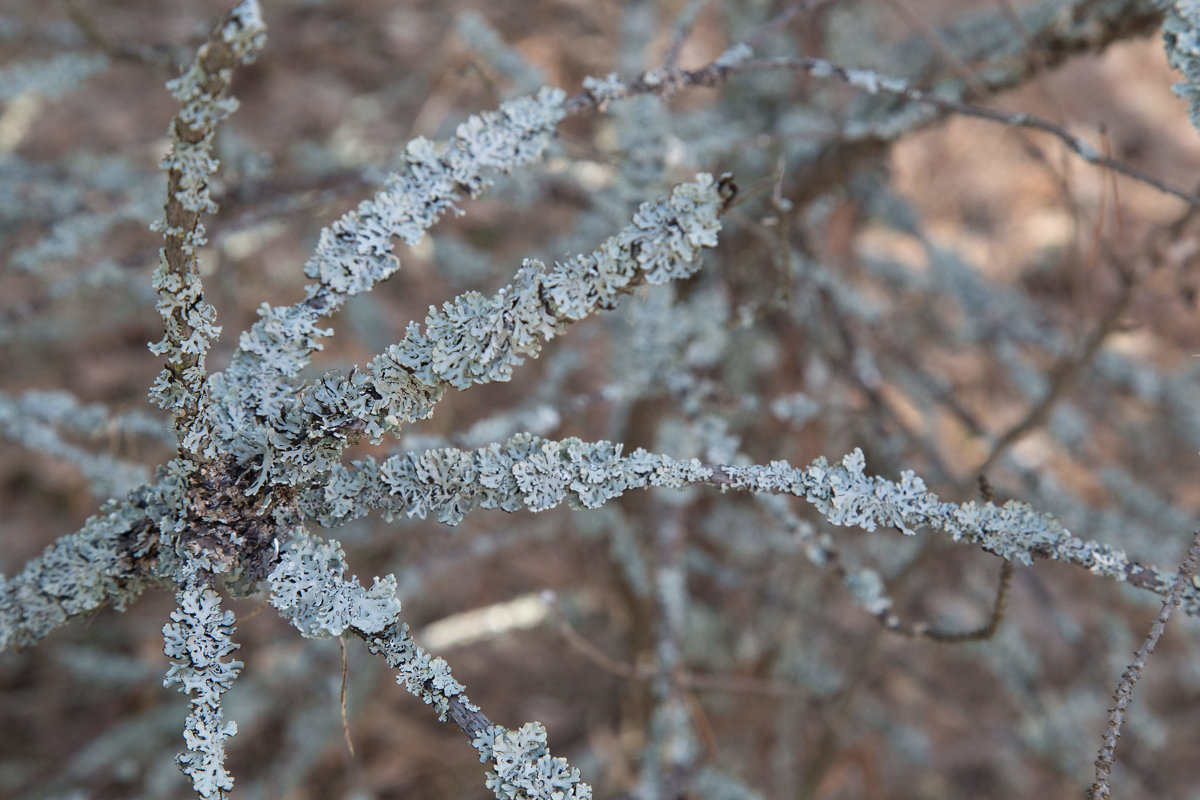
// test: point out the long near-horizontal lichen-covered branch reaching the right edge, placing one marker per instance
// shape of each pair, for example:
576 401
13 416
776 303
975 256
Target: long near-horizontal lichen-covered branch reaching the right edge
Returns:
537 474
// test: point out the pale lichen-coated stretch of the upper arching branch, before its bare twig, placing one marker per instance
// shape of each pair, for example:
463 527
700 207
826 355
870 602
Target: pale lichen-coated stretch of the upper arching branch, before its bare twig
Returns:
256 408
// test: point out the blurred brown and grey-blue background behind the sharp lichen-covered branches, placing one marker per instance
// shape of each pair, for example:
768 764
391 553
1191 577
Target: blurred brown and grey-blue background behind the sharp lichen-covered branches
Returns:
953 297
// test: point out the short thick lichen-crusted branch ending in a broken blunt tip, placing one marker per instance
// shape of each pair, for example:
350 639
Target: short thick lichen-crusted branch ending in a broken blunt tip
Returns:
478 340
